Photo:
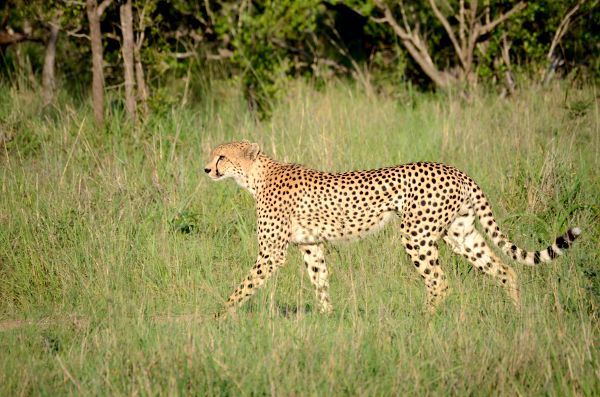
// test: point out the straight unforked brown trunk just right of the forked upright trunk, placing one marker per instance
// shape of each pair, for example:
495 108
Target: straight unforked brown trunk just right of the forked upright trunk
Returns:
127 48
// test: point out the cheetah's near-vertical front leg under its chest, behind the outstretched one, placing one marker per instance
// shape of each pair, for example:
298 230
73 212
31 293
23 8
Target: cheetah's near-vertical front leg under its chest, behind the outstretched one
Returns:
314 260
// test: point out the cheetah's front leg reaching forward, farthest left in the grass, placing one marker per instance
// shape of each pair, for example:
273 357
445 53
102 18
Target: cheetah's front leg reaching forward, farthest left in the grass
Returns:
270 258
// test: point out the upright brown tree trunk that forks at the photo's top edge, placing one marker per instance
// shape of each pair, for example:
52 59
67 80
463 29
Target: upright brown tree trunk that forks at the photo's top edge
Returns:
94 13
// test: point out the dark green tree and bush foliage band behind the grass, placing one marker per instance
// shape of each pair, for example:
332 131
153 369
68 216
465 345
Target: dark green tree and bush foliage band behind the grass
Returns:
262 43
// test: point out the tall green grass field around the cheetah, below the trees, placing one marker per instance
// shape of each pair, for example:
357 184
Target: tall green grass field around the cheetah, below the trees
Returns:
115 250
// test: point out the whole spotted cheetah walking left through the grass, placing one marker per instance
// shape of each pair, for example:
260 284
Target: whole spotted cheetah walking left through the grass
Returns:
305 207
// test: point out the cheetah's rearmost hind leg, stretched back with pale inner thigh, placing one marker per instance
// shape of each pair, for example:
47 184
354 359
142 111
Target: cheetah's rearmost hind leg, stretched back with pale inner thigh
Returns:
465 240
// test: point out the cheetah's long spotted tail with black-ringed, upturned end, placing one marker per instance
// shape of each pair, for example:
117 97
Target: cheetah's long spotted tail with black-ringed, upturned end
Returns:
531 258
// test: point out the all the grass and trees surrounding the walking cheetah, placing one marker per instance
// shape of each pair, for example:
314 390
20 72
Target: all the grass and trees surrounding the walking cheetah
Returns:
115 251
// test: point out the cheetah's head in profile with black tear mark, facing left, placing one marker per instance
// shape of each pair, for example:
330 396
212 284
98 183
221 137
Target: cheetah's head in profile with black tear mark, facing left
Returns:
232 160
